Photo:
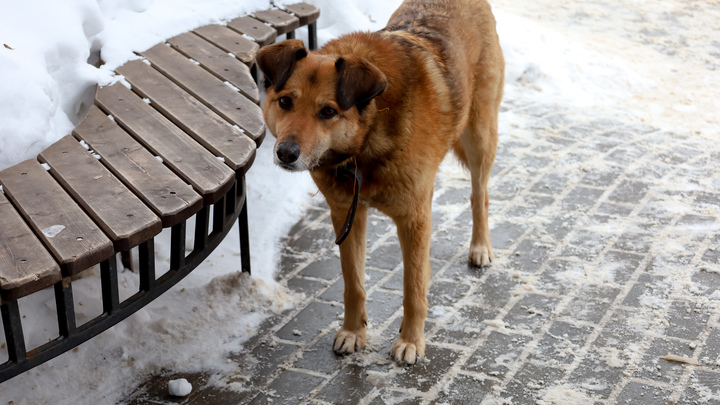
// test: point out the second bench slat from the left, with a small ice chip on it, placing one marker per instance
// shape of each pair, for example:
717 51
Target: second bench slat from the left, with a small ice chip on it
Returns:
75 241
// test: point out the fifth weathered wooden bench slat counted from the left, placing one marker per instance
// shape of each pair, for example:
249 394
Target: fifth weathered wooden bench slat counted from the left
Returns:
187 158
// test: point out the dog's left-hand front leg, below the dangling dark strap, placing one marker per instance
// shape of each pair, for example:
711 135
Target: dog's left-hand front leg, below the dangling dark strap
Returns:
352 334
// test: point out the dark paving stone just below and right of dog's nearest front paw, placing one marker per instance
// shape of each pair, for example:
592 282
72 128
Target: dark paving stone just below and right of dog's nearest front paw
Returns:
425 374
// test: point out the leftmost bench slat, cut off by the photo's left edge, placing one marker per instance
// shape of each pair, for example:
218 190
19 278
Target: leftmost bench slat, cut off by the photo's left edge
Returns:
25 265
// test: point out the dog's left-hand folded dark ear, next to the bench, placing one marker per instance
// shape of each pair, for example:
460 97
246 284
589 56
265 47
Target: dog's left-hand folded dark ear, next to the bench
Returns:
278 60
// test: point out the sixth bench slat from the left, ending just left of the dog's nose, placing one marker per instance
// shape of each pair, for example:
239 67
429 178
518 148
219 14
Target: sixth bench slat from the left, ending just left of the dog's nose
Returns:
203 124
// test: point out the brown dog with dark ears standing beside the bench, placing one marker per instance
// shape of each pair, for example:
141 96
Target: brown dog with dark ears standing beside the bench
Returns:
386 107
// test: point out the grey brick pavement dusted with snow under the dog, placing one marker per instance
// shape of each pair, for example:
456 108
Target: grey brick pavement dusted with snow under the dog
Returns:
607 244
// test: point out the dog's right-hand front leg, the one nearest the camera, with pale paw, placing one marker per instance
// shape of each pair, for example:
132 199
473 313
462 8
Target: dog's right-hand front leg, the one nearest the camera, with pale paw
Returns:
414 233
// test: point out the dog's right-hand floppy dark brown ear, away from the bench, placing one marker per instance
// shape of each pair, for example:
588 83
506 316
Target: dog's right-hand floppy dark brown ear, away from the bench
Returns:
359 81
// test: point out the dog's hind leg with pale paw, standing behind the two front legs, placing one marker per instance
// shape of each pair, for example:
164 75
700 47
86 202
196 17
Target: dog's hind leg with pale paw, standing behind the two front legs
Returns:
476 148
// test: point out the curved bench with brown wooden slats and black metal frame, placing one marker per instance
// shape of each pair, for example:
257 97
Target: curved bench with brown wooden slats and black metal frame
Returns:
174 146
